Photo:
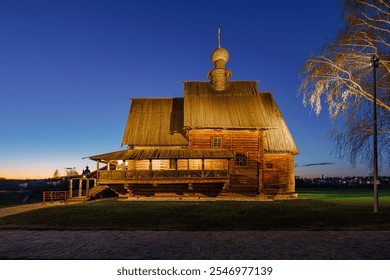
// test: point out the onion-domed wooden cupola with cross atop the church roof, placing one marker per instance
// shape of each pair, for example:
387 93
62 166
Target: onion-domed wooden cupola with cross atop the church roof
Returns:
219 75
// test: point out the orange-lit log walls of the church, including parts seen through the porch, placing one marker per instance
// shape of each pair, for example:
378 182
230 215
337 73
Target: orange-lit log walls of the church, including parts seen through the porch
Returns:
264 173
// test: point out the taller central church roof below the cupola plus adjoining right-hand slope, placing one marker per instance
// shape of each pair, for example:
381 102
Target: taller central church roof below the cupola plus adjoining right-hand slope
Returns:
240 106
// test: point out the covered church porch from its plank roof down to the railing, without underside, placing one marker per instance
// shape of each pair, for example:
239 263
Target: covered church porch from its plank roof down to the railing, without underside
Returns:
163 166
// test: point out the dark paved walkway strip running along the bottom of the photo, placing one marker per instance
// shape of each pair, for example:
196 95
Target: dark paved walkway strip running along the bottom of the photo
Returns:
280 245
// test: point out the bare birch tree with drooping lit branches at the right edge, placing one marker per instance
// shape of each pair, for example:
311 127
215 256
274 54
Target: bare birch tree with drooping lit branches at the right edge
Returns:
342 77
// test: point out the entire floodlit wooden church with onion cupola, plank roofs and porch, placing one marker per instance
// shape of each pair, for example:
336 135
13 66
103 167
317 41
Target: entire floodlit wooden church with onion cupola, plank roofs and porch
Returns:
222 139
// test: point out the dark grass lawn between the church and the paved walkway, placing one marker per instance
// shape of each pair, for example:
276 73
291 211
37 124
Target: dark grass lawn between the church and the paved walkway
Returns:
315 211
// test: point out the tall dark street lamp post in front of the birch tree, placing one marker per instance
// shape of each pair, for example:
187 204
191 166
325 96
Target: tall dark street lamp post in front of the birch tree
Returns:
375 64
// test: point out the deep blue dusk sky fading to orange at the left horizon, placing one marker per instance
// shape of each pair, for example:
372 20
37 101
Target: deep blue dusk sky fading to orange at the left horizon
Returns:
67 68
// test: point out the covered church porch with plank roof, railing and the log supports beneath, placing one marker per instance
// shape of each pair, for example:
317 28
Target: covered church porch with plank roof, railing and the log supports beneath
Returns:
155 171
